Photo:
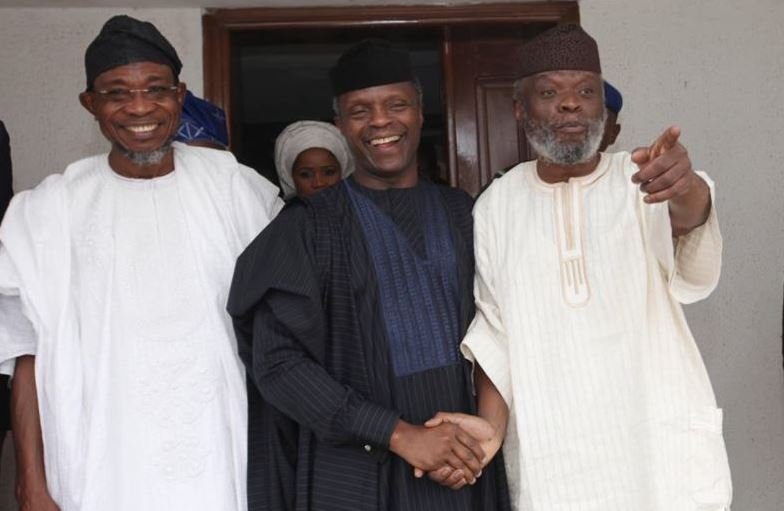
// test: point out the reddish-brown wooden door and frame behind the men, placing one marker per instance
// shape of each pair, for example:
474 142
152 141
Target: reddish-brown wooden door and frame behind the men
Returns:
480 51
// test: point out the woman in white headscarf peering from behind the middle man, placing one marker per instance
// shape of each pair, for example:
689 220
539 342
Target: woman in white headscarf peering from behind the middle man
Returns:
310 156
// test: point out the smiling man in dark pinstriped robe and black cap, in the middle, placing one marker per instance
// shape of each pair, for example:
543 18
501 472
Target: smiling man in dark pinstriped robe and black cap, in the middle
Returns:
349 310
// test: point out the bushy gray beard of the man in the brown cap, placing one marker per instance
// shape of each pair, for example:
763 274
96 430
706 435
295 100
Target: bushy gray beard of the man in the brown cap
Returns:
543 140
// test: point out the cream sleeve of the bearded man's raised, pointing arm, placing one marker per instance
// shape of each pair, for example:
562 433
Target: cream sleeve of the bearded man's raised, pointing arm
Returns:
692 263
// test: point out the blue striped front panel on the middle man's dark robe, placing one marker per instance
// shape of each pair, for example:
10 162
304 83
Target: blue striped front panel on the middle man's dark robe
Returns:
418 296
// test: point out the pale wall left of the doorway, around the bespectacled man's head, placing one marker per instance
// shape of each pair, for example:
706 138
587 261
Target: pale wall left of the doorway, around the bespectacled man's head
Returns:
42 74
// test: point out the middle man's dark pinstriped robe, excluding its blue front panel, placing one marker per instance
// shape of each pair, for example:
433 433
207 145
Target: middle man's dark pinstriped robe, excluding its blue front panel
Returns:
305 304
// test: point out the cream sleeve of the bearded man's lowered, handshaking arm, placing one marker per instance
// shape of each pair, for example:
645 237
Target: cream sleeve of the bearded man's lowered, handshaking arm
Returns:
486 342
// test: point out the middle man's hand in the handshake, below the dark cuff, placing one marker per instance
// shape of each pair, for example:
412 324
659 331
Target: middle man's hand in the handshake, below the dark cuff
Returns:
430 448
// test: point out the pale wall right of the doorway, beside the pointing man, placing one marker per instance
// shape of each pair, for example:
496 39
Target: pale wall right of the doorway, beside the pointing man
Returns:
716 68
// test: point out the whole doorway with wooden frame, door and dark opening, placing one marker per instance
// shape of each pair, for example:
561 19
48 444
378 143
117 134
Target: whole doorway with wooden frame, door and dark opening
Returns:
268 67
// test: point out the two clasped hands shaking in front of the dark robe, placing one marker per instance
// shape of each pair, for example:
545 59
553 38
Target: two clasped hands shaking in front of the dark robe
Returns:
451 448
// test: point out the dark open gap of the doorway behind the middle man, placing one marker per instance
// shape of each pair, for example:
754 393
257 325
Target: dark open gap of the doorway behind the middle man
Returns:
281 77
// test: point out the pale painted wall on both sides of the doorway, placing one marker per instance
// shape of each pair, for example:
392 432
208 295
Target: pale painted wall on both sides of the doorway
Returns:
714 67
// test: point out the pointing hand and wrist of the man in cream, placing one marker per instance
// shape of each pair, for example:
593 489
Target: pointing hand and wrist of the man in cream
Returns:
666 174
